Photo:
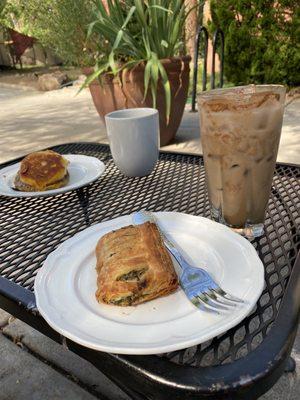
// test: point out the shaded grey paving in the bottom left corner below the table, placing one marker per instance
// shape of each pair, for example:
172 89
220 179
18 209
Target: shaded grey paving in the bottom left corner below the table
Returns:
77 377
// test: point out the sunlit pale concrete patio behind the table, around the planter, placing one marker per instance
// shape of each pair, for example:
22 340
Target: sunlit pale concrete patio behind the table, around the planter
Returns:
31 120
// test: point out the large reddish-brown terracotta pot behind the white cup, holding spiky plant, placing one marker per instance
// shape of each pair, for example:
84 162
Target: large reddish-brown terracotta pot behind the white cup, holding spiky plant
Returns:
112 95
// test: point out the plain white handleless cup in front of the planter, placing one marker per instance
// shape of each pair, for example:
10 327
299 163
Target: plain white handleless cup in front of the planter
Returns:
133 136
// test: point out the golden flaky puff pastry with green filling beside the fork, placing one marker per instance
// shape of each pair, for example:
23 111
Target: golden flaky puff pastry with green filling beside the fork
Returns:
133 266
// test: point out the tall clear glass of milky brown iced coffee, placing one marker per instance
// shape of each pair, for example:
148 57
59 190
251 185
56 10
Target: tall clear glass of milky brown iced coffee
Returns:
240 133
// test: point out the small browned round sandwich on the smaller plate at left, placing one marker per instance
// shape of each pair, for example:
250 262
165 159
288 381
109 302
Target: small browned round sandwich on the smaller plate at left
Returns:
42 170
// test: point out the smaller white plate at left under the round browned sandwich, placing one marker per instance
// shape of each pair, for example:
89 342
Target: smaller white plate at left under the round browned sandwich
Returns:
82 170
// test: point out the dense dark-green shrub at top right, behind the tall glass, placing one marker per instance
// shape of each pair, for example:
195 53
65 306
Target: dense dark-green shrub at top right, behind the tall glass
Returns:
261 40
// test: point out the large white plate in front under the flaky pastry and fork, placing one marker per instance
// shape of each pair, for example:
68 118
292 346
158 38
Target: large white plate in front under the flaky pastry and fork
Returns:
65 290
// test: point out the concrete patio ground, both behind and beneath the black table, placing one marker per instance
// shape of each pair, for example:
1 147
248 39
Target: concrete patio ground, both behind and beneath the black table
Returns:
32 366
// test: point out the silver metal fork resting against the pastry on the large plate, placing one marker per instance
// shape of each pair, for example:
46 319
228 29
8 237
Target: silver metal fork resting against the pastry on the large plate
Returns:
197 284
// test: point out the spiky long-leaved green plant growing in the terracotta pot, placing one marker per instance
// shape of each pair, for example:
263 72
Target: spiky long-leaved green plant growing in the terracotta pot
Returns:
131 32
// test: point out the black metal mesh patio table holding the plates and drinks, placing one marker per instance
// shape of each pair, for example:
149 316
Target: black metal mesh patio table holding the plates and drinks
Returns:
242 363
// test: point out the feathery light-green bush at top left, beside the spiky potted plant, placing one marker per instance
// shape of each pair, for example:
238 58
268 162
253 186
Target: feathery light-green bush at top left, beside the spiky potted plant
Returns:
58 24
